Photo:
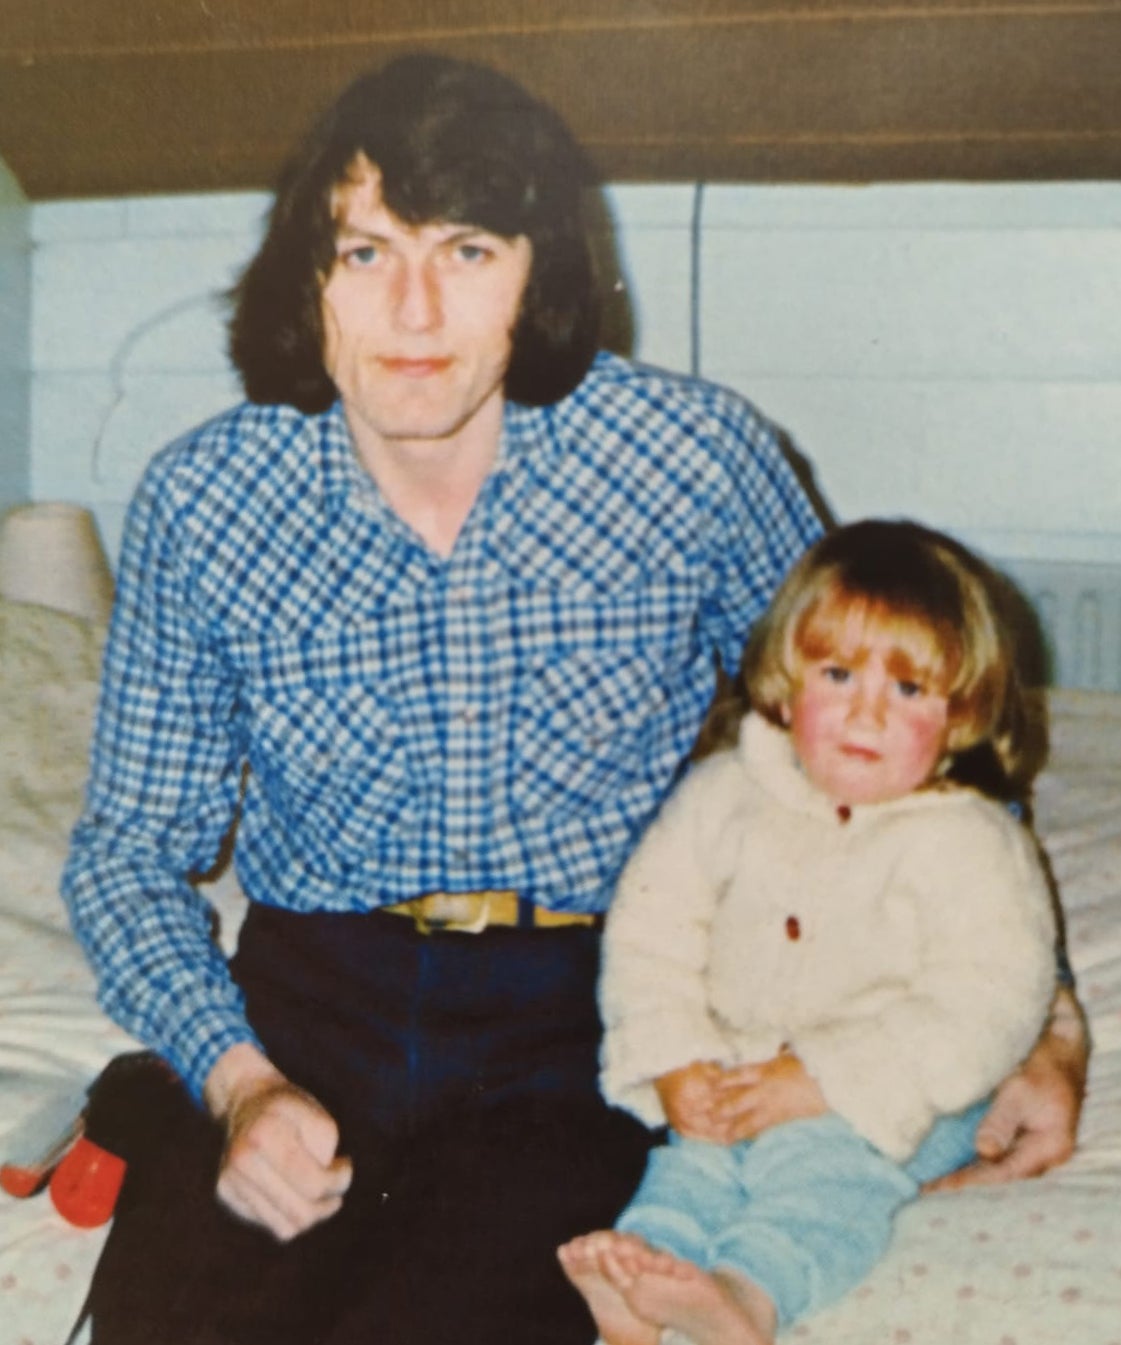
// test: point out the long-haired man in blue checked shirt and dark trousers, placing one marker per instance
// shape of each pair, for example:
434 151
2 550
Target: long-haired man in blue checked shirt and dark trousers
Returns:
435 617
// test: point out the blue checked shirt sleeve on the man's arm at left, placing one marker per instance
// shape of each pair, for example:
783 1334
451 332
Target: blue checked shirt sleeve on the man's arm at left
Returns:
164 792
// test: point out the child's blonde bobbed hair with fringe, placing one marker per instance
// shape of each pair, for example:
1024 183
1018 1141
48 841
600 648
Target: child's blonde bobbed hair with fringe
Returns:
940 606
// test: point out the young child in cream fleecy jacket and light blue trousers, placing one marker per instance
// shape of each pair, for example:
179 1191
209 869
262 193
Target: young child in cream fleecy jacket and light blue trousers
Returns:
824 954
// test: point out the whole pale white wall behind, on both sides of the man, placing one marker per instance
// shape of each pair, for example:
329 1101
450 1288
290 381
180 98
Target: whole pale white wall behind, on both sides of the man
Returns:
945 352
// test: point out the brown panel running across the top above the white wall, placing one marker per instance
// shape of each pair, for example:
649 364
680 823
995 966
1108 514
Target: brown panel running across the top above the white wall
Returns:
111 98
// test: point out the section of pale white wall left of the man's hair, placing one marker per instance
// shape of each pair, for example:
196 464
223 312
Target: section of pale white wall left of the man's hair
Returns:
129 337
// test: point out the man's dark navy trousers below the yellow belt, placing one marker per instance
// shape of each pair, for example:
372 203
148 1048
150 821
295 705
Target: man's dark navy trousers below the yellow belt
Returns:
462 1070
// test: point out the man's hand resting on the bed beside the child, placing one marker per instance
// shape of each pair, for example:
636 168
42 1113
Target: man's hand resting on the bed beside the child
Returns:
1033 1124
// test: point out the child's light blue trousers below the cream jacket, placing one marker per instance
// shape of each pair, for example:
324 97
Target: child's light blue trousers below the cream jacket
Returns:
804 1211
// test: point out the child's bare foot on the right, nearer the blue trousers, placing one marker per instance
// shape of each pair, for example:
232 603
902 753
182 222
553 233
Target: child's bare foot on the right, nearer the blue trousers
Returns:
709 1308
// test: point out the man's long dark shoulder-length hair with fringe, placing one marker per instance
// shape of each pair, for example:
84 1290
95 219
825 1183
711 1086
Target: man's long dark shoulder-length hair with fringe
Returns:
454 143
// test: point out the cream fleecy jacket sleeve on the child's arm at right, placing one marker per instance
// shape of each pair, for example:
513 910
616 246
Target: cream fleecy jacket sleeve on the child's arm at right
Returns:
951 1034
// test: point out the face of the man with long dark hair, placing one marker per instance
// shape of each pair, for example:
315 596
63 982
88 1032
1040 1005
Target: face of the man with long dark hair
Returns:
418 319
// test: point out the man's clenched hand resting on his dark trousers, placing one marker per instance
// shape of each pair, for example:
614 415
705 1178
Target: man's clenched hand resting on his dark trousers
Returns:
281 1168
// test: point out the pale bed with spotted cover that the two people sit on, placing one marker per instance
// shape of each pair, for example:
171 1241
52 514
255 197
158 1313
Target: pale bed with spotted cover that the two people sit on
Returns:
1029 1265
